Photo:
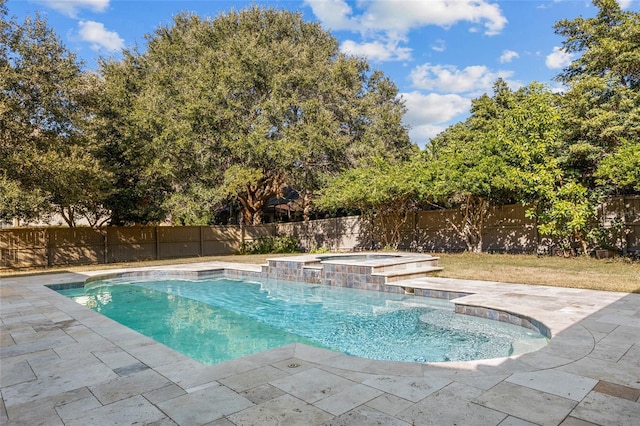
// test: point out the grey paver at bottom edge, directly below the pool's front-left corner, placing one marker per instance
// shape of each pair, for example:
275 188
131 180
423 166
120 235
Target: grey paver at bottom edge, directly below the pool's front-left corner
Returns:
204 406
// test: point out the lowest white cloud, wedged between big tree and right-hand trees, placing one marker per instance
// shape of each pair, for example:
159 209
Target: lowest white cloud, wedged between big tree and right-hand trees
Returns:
427 115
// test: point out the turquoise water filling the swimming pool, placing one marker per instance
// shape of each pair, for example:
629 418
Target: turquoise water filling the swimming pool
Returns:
219 319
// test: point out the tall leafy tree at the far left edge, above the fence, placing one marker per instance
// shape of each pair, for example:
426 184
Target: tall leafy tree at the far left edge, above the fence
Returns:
47 159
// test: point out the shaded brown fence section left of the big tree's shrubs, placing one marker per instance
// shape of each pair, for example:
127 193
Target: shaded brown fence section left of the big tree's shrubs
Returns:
44 247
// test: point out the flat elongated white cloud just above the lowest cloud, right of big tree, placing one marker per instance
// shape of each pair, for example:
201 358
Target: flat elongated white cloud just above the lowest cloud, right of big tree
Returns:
448 78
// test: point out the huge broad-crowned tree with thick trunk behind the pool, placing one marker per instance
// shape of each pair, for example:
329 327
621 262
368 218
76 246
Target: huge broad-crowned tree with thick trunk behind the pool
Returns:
247 103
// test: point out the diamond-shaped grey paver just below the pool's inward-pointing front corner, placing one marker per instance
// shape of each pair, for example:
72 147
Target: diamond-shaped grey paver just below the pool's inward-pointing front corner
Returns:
312 385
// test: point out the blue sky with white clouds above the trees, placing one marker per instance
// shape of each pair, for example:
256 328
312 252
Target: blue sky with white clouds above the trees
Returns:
440 53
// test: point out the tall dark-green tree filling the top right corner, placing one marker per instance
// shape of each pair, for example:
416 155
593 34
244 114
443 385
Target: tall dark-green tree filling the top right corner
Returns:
602 106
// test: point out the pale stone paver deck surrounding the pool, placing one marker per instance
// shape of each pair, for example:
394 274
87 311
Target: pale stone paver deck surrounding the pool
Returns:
63 364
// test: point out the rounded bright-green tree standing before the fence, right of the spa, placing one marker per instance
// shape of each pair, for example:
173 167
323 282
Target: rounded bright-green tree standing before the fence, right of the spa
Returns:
503 153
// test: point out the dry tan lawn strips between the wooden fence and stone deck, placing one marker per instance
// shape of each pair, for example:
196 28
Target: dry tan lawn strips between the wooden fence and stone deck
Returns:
594 274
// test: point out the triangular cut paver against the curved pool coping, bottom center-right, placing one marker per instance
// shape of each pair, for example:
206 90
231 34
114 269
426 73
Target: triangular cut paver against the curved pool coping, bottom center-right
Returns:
411 388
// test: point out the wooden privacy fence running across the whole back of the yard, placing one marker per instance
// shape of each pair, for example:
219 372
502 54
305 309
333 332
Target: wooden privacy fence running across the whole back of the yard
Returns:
507 229
